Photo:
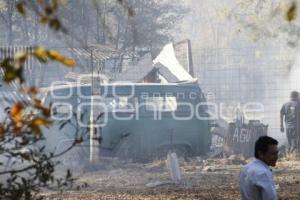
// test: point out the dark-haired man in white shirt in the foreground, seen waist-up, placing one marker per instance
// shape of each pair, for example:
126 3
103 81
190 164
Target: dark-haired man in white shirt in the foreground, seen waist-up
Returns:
256 179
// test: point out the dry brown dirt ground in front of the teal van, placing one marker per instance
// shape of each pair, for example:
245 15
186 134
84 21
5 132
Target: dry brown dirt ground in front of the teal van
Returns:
202 179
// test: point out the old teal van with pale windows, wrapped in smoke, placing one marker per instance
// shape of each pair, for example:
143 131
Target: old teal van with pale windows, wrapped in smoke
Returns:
139 120
